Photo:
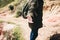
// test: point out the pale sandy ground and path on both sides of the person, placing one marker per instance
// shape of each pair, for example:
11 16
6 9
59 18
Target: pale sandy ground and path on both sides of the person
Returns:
51 22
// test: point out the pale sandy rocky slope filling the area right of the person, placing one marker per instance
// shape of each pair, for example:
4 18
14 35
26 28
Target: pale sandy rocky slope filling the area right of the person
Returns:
51 20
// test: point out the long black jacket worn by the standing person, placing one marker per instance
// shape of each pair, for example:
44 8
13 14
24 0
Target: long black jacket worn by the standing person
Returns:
36 8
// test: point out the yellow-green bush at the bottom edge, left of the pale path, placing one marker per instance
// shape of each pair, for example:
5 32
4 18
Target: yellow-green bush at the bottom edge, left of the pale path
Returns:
17 34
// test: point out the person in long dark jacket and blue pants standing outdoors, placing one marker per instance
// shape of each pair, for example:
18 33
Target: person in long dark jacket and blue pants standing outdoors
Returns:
33 12
